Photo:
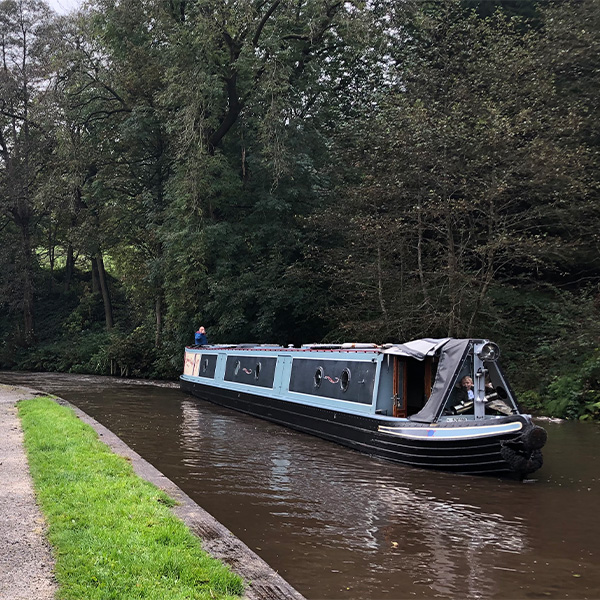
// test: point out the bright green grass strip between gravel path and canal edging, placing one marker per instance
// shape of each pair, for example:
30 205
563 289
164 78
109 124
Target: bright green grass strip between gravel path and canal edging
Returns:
113 534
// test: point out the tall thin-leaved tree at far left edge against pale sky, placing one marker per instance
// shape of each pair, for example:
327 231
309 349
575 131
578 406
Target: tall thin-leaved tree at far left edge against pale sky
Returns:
24 135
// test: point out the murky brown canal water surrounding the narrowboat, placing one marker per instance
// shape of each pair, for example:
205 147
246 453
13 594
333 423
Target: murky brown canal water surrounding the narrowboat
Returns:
338 524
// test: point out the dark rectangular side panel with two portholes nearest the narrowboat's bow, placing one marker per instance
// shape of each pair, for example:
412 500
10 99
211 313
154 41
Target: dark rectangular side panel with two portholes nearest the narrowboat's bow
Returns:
349 380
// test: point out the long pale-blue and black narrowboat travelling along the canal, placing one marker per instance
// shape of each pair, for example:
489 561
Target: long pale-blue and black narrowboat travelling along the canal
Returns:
430 403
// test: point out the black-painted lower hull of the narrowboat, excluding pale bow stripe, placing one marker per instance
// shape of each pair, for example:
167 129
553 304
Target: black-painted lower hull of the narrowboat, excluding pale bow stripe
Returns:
475 456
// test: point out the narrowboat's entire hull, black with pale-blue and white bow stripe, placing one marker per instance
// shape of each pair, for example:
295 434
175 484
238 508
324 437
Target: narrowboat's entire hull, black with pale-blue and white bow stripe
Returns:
491 447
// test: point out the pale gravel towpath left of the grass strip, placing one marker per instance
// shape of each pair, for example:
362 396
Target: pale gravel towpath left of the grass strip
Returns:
26 561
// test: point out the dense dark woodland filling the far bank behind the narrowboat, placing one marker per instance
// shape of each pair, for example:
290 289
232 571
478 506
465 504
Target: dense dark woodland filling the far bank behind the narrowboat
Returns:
296 171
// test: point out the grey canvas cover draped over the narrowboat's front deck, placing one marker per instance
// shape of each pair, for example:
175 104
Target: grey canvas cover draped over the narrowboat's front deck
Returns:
451 359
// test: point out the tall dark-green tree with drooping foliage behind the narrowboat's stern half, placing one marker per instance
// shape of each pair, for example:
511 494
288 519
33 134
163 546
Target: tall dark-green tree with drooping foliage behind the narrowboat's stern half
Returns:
248 88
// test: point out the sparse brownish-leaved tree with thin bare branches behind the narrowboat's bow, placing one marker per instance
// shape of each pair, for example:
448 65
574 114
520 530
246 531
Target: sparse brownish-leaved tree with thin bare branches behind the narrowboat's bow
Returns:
449 191
